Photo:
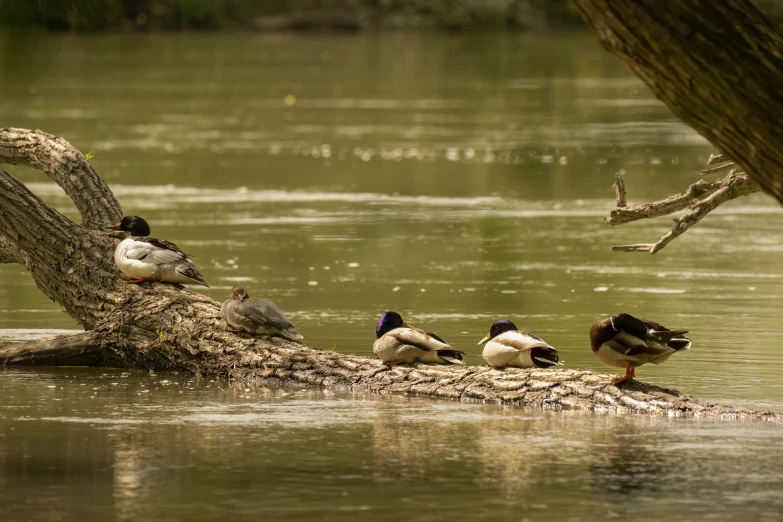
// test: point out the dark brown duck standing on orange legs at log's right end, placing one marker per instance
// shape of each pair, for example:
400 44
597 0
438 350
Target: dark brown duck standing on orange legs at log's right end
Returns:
627 342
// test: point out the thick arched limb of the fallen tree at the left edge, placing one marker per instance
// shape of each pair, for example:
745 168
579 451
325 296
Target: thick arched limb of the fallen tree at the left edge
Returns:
67 167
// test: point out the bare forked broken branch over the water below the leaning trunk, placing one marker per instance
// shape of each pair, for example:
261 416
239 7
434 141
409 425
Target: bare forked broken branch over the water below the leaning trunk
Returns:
701 197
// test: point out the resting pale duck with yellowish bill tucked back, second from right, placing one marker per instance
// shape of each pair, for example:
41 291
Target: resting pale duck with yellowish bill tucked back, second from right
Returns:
505 345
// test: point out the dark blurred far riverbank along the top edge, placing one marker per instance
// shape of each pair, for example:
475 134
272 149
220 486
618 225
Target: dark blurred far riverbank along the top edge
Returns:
281 15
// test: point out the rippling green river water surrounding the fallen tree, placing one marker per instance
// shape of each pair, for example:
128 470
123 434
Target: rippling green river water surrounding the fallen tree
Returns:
456 179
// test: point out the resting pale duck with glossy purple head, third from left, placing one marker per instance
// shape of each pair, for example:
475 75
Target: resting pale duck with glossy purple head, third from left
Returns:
399 343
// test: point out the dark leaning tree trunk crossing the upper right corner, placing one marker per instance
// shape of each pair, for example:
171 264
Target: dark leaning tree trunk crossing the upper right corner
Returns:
718 65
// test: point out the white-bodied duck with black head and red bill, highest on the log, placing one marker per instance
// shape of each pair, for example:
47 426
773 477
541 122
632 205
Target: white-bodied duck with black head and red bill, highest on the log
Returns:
143 258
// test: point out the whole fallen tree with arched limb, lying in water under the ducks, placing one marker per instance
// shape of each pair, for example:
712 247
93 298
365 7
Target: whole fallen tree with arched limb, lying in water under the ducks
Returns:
166 327
